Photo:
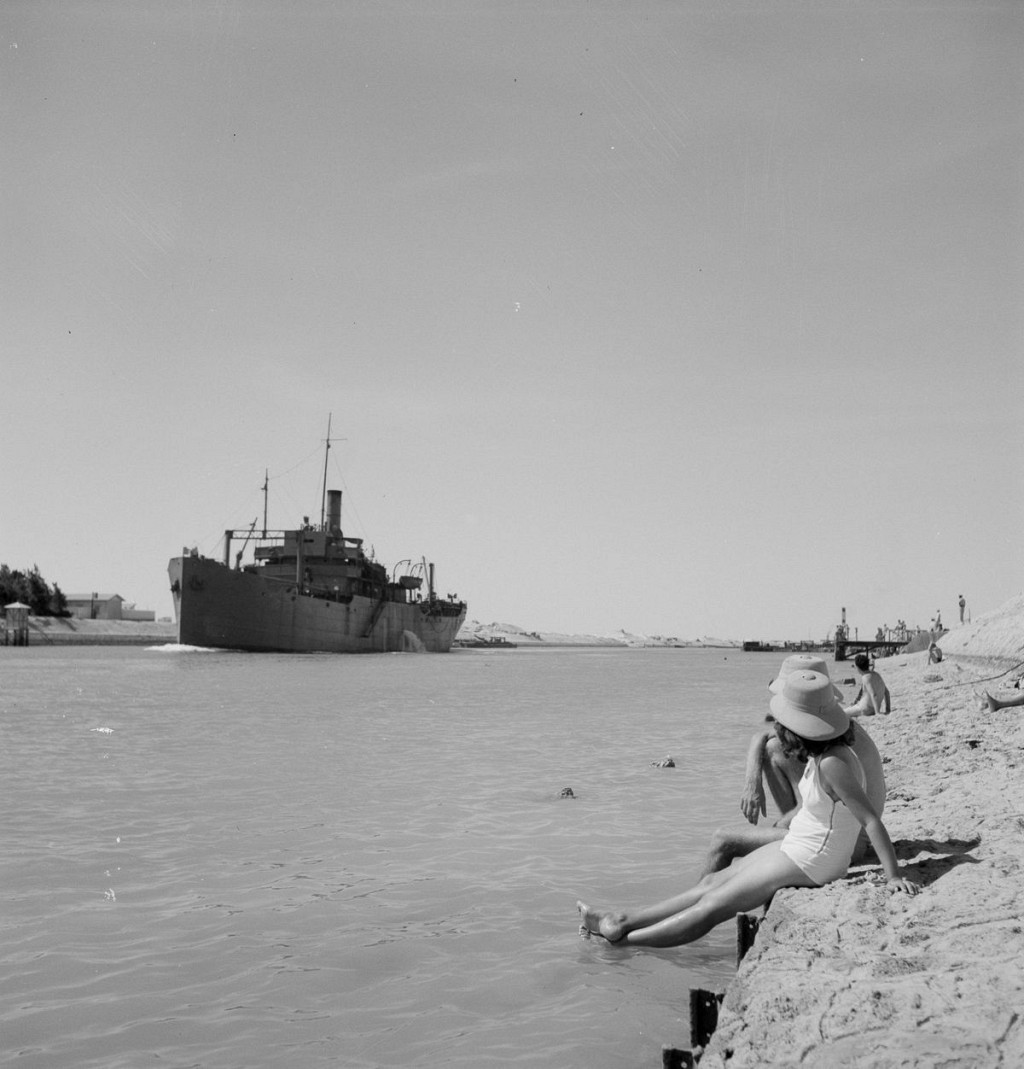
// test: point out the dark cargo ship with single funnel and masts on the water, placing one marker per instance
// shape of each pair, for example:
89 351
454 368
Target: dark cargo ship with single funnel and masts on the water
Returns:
312 590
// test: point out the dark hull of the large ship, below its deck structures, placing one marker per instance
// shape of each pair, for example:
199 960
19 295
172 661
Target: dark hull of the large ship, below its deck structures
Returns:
225 609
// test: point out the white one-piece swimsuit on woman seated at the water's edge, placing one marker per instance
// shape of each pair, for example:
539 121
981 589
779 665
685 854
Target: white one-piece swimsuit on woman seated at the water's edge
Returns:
823 835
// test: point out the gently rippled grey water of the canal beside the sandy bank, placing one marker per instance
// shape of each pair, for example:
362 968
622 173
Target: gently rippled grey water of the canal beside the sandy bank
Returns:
225 860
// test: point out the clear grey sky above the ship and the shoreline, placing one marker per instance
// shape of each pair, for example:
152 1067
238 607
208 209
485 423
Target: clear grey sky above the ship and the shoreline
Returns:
692 319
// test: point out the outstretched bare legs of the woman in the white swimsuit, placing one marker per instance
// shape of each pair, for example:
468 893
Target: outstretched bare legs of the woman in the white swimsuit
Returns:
748 884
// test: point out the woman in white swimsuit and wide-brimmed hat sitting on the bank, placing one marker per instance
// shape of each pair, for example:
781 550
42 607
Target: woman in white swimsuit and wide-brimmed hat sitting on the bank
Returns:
817 849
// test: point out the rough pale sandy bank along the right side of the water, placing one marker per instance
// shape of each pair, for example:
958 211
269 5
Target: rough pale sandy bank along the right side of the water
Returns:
854 975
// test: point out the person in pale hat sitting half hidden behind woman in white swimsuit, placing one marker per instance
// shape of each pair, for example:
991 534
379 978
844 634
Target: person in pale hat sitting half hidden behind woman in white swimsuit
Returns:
769 765
